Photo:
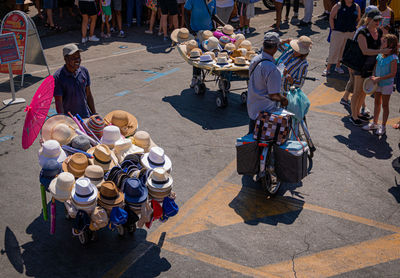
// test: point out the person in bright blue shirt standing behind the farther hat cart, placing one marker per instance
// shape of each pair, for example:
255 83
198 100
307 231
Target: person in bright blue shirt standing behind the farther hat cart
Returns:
199 15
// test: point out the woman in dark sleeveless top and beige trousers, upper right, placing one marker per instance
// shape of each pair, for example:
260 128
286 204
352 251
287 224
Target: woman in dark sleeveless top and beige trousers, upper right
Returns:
343 23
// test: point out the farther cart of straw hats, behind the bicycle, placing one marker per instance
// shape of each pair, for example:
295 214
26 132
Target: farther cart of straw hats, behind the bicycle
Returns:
222 54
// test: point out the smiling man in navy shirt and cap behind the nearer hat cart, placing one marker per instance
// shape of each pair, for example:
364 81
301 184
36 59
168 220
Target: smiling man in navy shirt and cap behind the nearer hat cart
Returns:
72 85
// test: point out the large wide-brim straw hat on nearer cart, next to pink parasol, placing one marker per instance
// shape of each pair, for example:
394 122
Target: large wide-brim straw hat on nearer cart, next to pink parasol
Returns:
60 128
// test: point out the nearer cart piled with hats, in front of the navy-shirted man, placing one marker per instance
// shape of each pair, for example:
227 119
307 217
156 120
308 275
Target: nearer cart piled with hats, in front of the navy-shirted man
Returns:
107 174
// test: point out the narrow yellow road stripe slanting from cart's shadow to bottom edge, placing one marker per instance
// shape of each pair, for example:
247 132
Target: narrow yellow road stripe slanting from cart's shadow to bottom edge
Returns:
248 271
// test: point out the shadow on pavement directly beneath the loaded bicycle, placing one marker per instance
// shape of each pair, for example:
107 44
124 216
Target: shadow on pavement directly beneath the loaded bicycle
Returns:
254 207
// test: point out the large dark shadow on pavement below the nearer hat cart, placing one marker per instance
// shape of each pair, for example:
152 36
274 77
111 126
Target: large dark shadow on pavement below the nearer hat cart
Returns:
62 255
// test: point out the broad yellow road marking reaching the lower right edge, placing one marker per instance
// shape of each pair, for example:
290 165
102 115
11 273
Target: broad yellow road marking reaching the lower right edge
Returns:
340 260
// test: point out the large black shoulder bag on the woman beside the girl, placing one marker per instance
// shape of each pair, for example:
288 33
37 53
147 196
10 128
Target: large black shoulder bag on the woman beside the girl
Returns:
353 57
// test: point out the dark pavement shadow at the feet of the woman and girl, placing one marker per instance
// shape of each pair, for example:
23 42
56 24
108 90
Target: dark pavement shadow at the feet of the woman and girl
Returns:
364 142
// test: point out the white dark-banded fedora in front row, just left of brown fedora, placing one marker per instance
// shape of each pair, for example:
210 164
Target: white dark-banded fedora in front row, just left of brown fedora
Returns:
84 194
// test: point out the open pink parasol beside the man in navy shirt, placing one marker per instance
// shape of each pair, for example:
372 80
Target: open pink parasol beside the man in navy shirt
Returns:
37 111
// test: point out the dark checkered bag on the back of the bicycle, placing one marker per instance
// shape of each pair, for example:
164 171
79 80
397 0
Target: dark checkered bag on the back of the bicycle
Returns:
273 127
